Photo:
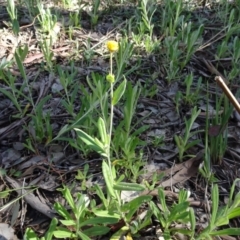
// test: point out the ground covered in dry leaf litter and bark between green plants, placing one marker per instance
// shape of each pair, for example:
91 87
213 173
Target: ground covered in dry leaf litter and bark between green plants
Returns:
31 155
